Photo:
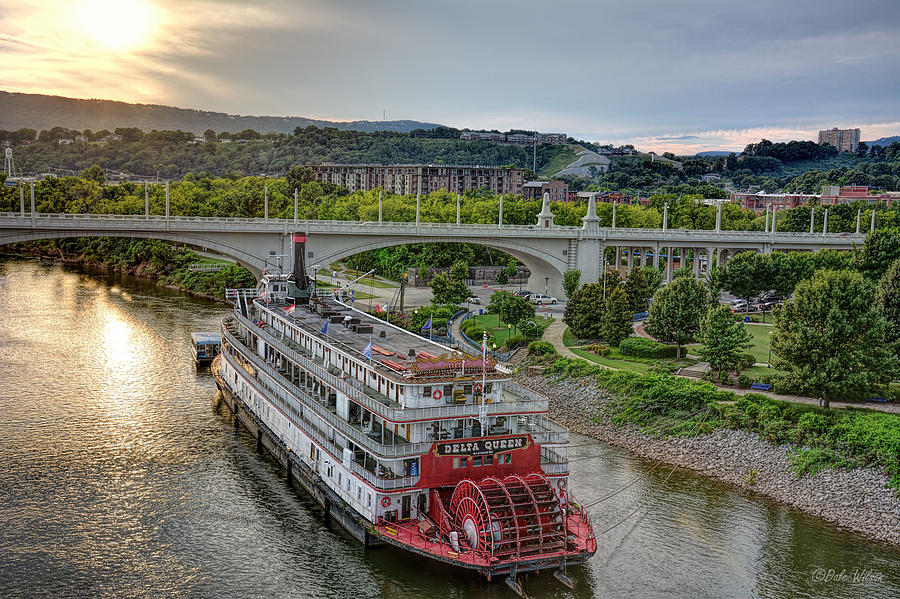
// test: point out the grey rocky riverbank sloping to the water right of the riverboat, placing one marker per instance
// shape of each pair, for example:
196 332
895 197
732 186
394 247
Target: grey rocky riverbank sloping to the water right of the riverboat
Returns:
855 499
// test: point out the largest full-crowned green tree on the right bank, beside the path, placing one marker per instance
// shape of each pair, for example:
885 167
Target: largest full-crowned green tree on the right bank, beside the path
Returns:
831 336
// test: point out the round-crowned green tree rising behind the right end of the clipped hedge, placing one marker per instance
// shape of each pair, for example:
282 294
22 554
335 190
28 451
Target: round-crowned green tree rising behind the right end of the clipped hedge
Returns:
676 311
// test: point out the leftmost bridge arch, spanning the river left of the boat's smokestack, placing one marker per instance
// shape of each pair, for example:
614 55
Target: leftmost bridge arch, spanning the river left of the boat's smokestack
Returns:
242 257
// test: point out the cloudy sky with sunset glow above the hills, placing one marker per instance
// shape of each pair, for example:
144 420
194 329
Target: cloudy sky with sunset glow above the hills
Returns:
681 76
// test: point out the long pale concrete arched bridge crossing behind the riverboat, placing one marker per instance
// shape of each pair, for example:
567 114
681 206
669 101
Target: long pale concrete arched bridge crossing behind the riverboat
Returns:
546 249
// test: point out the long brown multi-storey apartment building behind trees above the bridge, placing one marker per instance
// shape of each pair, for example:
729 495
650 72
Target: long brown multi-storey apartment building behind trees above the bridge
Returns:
406 179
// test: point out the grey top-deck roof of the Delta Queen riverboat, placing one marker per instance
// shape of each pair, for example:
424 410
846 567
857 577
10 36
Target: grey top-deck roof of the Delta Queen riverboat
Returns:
398 350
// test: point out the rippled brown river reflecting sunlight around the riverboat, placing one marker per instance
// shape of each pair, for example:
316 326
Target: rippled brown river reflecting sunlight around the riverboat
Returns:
122 477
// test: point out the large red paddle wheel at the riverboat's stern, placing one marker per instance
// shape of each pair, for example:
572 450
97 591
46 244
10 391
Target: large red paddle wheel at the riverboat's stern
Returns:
510 518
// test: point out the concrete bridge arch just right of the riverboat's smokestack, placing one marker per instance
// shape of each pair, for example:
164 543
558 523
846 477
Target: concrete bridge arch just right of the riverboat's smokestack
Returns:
546 268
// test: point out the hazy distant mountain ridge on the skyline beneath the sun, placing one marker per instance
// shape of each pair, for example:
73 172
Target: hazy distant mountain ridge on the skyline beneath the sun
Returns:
38 111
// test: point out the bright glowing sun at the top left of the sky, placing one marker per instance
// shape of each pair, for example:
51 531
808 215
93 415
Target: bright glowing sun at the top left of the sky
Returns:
117 25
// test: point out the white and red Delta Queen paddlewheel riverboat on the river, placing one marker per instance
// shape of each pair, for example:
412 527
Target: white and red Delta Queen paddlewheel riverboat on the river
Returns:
403 441
